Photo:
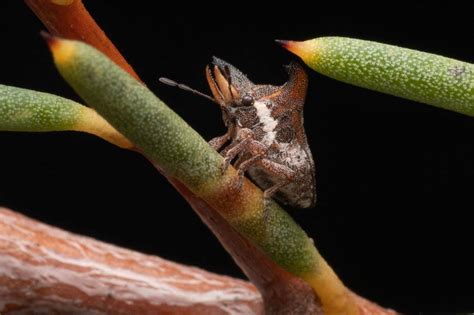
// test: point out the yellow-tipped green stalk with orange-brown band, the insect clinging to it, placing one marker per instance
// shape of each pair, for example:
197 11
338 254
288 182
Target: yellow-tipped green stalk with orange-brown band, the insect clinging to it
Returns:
182 153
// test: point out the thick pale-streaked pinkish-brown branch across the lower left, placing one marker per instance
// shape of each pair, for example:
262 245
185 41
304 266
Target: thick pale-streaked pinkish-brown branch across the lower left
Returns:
44 269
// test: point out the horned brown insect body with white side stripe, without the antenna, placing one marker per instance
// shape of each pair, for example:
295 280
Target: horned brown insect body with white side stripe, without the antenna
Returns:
265 132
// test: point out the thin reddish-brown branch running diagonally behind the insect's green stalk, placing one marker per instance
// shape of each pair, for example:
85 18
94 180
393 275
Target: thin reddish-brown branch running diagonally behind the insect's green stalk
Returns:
282 292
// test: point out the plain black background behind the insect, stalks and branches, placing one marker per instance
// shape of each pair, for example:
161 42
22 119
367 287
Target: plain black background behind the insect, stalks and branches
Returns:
395 178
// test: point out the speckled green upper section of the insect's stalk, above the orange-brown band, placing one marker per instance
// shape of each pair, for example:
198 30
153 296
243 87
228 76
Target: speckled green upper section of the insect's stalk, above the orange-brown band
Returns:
159 132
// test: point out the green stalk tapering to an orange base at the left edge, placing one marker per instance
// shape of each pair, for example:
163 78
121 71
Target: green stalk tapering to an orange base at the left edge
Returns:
27 110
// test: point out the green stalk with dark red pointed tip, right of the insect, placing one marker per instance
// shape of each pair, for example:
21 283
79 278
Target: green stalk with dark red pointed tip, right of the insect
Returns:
403 72
